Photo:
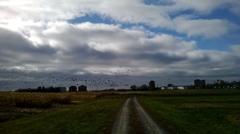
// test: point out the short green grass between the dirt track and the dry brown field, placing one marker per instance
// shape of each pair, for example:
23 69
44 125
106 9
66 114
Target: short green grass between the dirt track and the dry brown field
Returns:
93 116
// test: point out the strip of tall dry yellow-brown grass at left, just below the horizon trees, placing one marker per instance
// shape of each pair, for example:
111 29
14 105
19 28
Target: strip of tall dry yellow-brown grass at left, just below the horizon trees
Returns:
41 100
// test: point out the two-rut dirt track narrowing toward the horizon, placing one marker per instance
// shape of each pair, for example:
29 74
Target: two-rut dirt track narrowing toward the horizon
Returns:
122 125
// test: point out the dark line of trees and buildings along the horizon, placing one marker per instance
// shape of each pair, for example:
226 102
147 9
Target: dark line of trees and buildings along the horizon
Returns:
151 86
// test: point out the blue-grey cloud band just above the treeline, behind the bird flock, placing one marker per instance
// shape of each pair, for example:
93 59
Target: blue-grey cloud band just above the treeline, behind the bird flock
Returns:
20 80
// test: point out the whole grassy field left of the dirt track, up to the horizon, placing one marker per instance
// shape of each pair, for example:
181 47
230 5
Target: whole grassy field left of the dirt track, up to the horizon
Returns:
86 115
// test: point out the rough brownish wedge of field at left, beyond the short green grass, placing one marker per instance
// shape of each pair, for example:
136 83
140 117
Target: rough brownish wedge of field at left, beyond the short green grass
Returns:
17 105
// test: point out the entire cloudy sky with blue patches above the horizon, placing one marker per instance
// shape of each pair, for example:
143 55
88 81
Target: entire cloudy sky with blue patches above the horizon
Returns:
117 42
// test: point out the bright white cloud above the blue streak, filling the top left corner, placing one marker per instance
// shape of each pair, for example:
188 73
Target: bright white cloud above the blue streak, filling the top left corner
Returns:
50 10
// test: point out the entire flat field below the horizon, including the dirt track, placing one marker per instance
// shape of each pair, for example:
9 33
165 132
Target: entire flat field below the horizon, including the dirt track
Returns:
182 112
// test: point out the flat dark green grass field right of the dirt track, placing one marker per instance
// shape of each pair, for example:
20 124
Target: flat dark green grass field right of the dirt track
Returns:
196 114
